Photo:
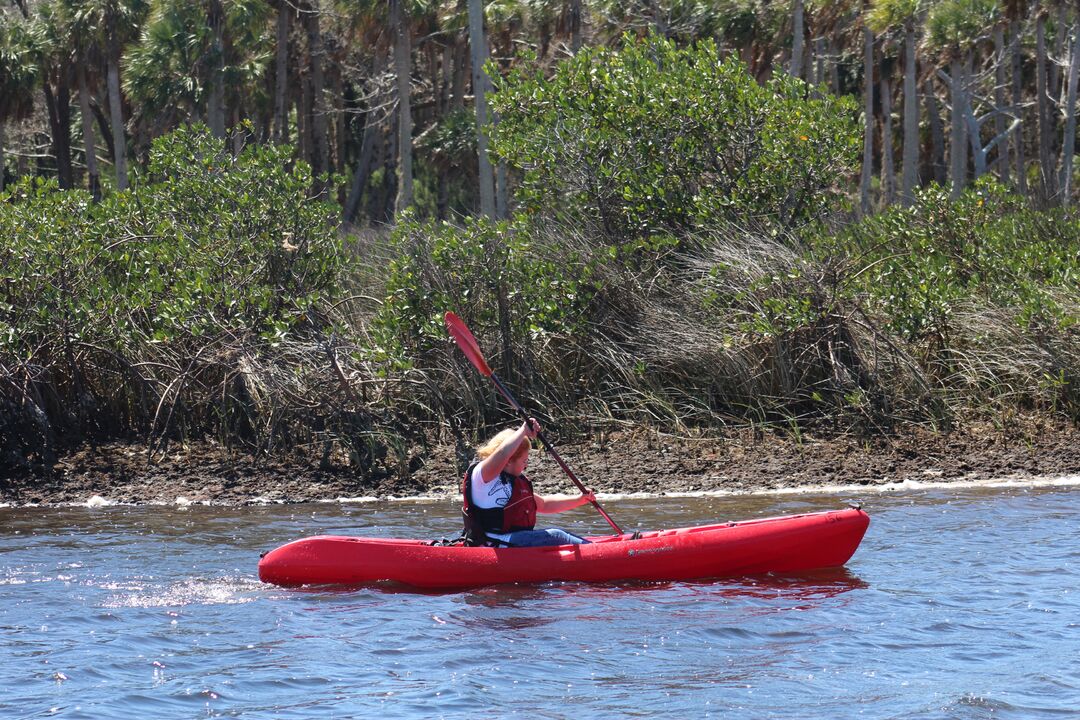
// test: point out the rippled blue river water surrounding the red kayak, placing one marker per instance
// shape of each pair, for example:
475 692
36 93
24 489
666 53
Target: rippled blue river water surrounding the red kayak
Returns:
962 603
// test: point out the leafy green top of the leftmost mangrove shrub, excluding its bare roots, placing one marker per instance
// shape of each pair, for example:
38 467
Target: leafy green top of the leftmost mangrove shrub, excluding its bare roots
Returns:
210 243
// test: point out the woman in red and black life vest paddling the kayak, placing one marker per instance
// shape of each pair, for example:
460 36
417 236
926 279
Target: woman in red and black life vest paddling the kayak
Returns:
501 508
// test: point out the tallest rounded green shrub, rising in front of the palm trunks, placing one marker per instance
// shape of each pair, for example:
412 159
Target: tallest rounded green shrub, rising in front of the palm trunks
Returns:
654 138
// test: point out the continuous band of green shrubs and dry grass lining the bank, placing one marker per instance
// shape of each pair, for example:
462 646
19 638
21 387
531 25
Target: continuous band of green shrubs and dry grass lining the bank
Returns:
679 256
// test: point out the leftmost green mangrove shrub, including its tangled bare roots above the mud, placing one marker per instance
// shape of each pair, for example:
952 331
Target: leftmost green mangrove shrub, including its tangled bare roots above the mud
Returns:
155 304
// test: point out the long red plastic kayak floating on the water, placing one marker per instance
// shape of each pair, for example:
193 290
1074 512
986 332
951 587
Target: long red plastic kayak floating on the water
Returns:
781 545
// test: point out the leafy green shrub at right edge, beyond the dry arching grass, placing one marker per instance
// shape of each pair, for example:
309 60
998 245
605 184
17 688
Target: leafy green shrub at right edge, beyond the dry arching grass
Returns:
916 265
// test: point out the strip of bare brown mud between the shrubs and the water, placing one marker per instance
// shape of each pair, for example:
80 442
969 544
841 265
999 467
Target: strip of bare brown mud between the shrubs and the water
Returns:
742 461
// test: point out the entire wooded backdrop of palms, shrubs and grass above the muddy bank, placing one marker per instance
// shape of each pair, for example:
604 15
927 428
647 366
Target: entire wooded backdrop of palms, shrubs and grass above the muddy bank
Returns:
242 221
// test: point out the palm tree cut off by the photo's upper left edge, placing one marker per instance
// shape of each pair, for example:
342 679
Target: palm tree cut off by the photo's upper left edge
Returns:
19 74
